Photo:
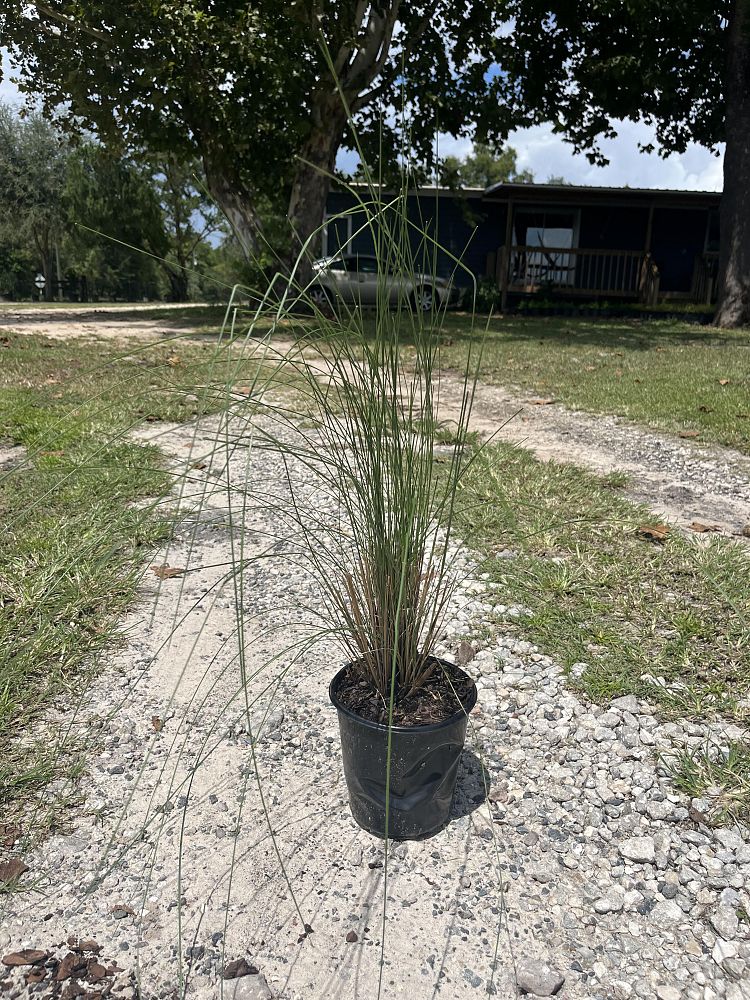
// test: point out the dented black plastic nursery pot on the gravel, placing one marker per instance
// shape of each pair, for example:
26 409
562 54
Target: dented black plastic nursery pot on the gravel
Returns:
424 767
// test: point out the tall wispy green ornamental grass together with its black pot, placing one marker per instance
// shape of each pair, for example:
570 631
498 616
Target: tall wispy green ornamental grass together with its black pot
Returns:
376 531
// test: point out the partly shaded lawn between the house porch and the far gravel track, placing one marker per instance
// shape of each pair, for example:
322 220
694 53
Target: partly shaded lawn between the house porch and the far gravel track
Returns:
668 375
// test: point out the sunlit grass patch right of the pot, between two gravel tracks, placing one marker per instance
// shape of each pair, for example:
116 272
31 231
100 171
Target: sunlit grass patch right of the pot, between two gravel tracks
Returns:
564 544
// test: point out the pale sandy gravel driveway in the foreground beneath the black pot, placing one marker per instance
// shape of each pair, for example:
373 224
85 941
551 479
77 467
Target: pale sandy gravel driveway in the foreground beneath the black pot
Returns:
582 872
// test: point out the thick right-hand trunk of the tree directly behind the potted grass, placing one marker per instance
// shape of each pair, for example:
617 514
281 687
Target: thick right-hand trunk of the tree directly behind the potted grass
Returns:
312 182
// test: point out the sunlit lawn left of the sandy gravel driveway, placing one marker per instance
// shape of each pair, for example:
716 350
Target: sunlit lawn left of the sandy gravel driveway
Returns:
81 509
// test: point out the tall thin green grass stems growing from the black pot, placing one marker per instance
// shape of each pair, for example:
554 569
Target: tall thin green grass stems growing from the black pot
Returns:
382 555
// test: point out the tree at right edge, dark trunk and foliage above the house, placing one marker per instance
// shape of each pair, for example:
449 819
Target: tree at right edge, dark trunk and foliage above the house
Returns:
681 65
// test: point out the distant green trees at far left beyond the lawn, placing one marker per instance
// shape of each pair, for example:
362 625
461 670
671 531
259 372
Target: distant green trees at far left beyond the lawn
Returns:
75 211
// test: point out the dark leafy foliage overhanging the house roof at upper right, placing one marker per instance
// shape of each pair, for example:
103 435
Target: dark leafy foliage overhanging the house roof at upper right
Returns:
584 65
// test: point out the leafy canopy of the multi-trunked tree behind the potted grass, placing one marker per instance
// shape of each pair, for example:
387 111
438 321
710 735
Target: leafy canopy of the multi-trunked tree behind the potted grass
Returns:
260 91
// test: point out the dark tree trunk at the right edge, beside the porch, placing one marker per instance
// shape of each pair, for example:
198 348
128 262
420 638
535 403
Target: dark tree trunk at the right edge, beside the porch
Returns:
734 257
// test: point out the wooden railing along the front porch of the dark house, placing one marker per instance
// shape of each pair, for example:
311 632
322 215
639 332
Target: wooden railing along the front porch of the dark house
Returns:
576 271
